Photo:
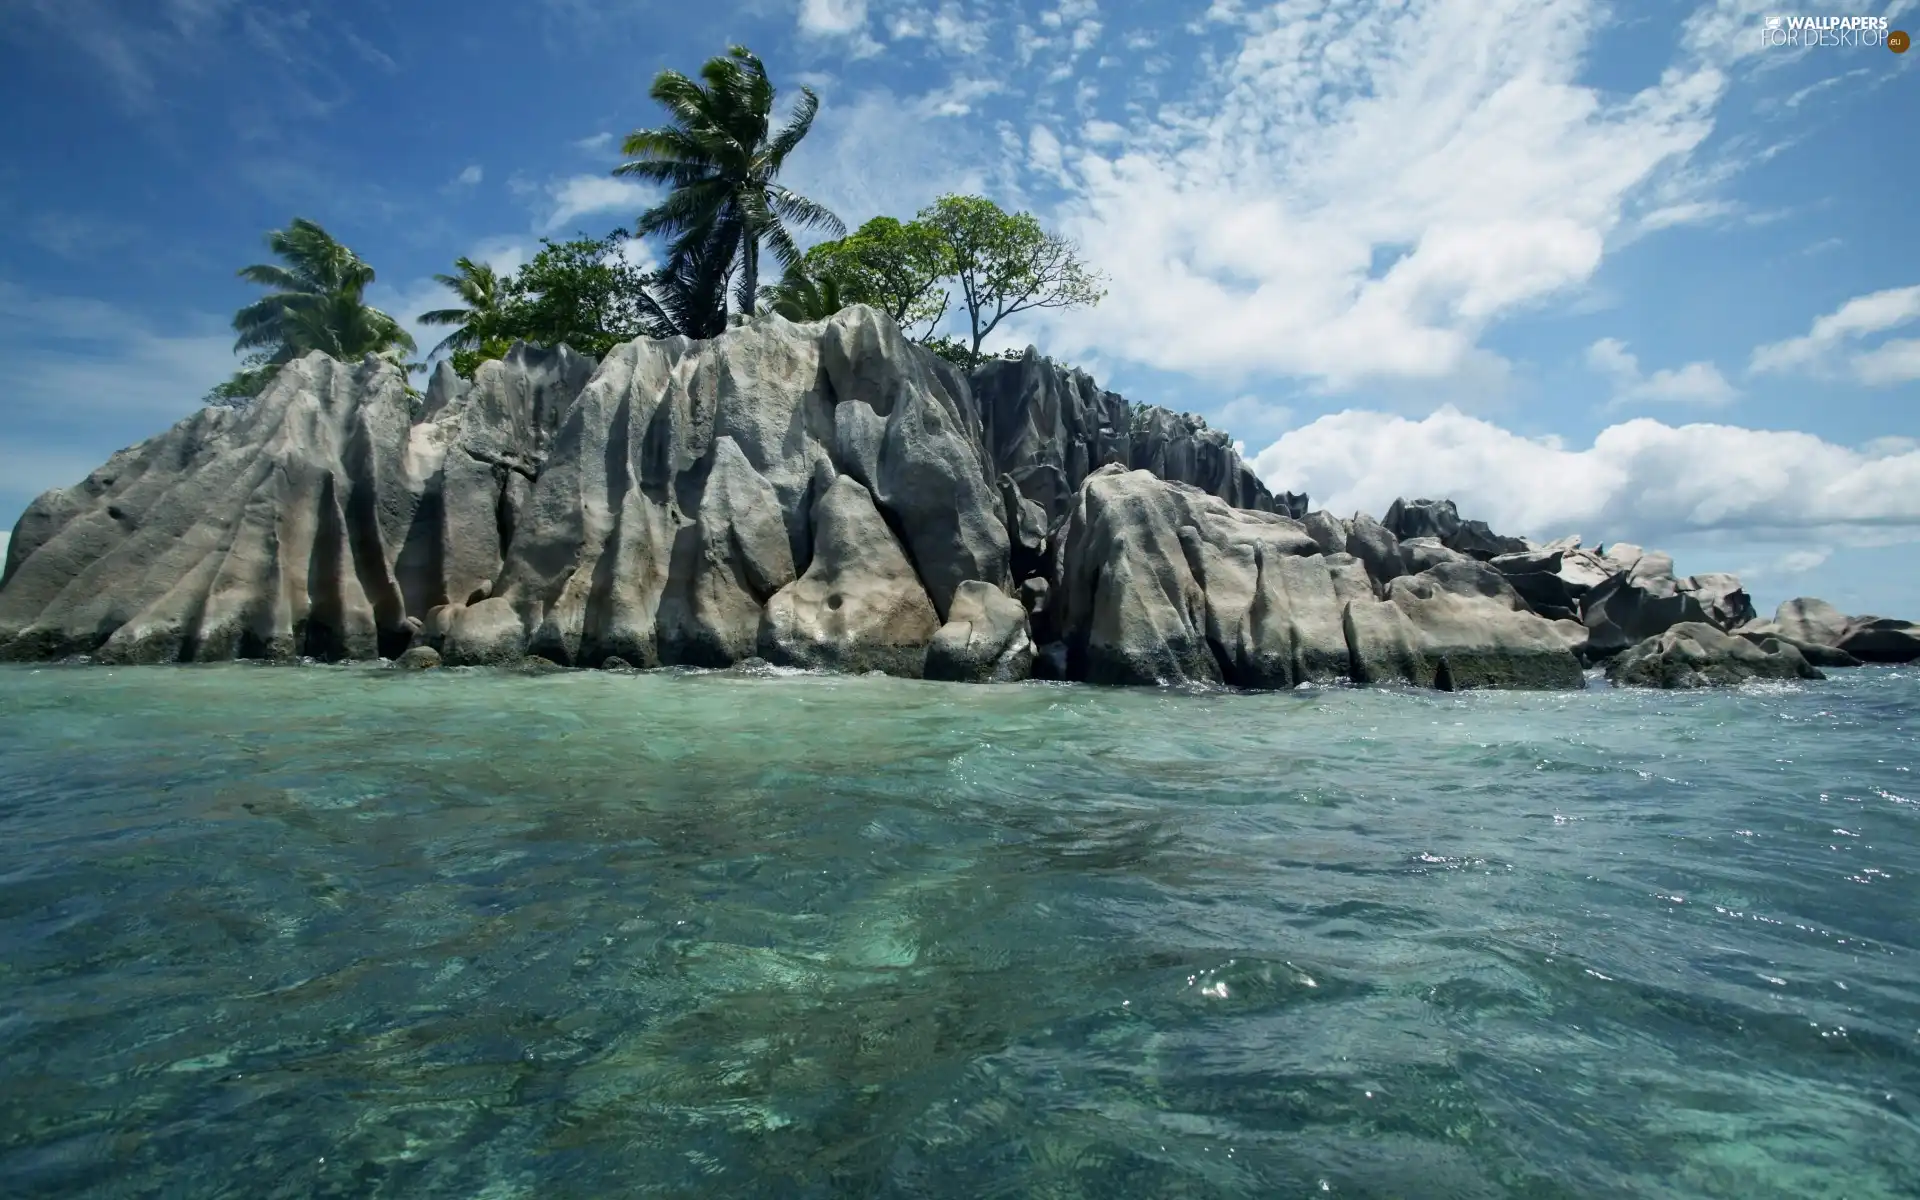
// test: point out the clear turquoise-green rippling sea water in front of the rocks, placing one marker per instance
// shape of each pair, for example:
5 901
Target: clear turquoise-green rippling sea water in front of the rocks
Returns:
356 932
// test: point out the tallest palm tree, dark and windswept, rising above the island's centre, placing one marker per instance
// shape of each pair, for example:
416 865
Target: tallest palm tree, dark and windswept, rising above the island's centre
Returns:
721 162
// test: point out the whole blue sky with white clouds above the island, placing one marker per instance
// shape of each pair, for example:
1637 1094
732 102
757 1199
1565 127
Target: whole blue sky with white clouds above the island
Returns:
1612 270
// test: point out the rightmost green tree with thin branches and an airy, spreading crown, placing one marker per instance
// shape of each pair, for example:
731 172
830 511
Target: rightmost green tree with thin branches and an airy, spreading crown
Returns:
1005 264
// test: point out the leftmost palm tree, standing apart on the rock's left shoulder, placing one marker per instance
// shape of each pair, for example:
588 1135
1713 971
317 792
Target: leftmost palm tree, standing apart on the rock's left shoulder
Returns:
316 302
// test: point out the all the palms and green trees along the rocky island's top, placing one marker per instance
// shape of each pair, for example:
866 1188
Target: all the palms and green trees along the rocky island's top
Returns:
963 262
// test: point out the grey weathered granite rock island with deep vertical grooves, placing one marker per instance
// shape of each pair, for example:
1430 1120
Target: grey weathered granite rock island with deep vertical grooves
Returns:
827 496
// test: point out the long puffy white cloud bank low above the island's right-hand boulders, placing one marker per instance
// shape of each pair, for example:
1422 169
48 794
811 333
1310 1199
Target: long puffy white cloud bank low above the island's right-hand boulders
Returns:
1639 481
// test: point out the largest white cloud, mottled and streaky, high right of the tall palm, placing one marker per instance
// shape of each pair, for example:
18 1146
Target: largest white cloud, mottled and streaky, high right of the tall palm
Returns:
1249 218
